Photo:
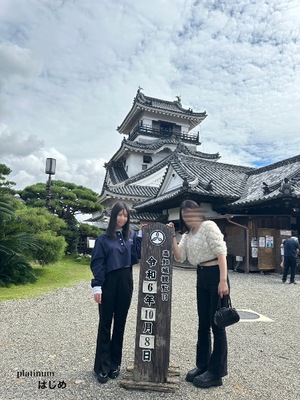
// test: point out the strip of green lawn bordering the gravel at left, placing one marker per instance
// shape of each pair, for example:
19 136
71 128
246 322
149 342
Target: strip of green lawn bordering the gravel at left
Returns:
65 273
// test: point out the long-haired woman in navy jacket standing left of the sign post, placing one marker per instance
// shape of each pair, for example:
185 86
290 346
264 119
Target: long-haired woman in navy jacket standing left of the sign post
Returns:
113 256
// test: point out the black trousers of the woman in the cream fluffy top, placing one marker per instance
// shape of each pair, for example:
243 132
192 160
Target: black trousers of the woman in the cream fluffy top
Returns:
211 358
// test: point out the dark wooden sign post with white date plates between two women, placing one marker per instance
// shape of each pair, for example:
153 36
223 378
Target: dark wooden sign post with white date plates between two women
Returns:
151 370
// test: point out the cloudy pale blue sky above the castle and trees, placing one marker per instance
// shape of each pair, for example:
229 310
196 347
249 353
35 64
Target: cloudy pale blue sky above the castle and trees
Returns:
70 69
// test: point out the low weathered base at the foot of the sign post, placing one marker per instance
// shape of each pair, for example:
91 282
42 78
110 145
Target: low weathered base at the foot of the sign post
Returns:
170 386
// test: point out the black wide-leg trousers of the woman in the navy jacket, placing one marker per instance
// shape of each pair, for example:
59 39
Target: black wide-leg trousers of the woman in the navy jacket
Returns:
116 299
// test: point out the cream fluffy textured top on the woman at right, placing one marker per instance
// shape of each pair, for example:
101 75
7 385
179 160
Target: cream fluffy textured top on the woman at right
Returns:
206 244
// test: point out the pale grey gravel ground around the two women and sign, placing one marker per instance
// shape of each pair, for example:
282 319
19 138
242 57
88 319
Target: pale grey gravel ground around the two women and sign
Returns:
56 333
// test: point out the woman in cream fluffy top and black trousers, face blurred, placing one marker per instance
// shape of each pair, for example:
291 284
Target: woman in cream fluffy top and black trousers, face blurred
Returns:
202 244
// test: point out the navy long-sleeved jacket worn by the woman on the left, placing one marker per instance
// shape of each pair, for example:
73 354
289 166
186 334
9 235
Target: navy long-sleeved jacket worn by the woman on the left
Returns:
111 253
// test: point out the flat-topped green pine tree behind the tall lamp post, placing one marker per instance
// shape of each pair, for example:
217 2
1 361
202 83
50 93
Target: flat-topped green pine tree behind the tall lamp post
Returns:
67 200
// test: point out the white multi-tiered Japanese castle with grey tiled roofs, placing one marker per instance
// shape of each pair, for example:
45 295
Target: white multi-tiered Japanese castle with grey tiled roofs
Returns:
158 165
